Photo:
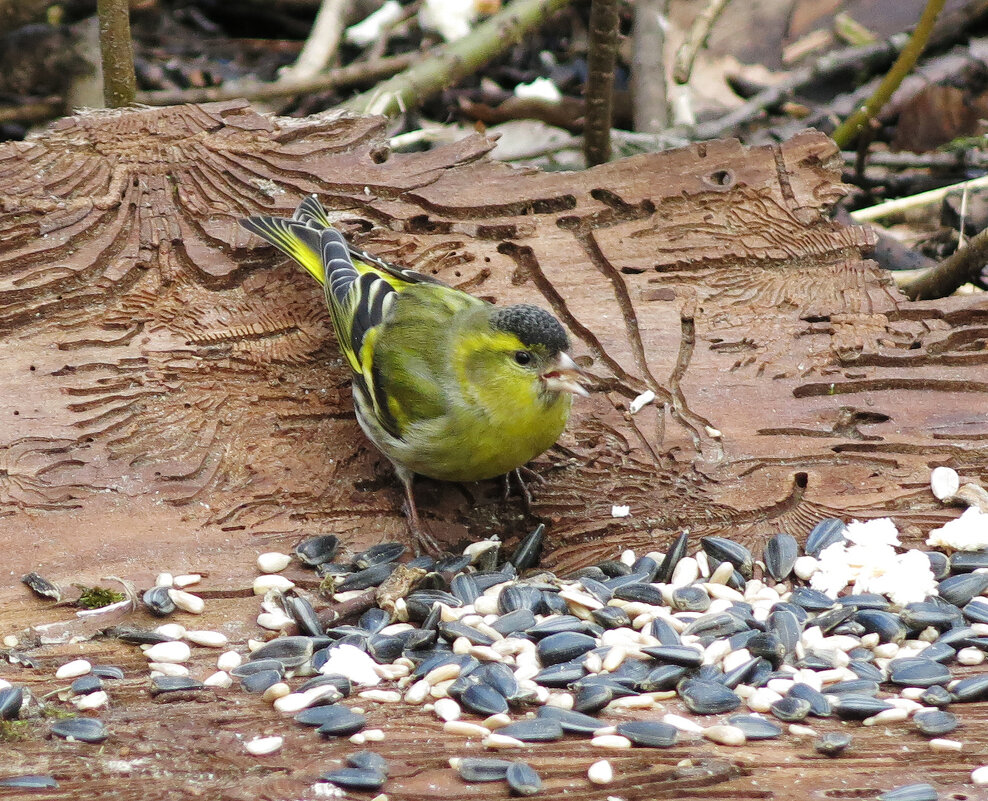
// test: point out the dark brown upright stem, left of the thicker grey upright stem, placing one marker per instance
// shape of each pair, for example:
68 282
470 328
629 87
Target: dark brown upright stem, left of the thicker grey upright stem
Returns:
603 31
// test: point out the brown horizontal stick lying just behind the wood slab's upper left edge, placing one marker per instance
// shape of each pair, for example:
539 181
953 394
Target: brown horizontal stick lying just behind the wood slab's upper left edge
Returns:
359 72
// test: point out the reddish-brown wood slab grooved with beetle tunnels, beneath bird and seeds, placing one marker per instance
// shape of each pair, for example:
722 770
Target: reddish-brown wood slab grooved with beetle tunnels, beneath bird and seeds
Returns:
174 401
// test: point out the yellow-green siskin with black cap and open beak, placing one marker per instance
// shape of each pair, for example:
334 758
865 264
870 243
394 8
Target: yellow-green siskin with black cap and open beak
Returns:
446 385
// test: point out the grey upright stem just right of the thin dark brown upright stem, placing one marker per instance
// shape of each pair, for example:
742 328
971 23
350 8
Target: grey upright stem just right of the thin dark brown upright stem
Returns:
648 71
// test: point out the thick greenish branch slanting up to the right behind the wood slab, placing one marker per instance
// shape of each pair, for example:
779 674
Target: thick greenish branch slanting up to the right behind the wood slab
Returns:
451 62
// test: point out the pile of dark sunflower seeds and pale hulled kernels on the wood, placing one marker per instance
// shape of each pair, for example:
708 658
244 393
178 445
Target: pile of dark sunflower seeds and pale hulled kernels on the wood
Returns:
504 652
